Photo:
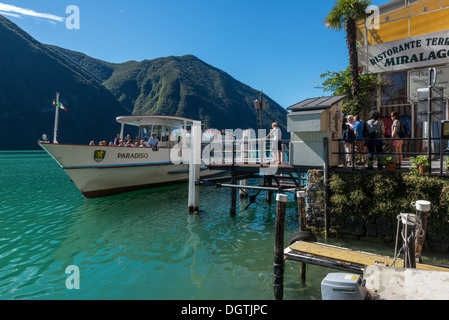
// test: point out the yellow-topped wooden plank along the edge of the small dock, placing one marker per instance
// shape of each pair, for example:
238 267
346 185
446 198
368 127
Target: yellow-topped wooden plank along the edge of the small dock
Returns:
345 257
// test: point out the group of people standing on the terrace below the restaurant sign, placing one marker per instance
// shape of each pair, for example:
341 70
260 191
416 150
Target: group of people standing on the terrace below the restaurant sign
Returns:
370 136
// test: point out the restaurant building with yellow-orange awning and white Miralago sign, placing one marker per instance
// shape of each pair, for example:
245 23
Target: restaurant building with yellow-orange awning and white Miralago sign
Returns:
400 41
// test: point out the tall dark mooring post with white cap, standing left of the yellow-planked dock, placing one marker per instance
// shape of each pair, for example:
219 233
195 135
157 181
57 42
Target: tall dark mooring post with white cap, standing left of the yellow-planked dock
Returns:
278 285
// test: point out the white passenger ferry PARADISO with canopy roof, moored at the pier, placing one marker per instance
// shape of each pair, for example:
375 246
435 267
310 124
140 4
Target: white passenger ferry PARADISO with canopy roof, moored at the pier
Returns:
105 170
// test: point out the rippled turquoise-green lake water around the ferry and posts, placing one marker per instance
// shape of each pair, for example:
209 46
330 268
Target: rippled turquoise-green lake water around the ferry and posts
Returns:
139 245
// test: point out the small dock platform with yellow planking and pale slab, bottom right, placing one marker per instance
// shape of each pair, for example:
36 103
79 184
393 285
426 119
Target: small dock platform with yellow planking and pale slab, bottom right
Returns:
383 281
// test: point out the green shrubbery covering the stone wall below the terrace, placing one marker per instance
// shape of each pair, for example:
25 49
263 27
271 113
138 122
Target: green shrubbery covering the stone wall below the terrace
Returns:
365 197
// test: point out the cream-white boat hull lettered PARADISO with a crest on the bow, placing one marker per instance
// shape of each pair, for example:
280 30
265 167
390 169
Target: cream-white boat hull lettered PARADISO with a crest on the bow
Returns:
104 170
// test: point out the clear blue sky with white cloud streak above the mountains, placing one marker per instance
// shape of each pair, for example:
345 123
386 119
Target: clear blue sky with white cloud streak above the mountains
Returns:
278 46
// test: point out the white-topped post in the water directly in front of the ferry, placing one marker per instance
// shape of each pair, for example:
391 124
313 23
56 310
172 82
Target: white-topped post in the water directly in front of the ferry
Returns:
194 168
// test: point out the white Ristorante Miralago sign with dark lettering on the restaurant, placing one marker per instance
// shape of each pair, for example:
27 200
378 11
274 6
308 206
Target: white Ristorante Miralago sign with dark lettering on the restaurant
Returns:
418 51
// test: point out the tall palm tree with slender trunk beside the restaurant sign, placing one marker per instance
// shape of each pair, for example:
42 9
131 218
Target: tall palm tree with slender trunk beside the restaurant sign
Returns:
345 14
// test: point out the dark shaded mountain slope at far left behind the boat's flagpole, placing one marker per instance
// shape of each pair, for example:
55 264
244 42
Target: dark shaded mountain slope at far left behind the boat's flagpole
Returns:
31 74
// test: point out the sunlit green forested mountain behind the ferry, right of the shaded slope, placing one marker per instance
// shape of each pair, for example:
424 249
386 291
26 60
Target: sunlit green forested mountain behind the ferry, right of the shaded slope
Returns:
183 86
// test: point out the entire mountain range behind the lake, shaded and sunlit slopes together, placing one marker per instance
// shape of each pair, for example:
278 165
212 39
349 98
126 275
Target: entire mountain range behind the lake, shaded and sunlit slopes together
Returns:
95 92
